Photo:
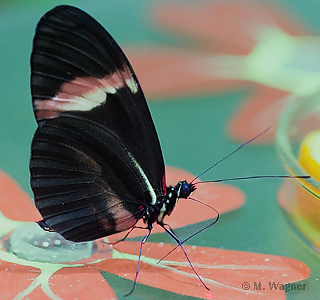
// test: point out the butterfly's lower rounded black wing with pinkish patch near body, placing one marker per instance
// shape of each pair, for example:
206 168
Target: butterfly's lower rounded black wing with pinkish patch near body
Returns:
86 183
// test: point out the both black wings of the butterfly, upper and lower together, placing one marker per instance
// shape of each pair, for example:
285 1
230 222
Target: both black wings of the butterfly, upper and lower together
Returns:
96 160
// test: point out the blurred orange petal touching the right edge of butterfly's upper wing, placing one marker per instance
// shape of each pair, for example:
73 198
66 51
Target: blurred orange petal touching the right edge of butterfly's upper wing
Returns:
165 72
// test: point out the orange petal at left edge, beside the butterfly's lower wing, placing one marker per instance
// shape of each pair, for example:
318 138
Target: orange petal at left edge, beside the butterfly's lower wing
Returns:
15 203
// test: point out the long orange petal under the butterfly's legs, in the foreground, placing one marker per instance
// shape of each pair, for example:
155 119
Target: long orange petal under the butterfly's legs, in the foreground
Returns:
229 274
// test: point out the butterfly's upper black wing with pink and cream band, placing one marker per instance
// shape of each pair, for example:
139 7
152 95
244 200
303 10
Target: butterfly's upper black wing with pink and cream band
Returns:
77 69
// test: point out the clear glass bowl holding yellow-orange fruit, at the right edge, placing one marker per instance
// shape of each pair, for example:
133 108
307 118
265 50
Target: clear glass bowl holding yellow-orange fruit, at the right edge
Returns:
300 198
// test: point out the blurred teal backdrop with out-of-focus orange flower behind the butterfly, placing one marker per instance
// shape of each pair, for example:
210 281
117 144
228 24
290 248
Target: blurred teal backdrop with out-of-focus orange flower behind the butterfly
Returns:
215 74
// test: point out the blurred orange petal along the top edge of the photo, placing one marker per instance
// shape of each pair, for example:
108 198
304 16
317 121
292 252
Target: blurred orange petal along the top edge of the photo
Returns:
225 26
